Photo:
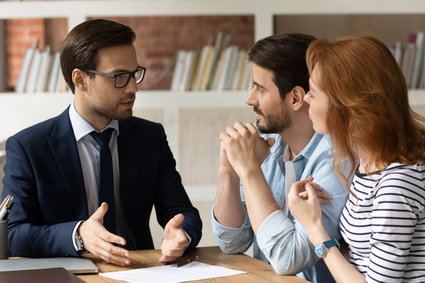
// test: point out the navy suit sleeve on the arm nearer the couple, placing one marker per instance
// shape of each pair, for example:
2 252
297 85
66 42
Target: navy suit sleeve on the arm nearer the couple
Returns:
171 198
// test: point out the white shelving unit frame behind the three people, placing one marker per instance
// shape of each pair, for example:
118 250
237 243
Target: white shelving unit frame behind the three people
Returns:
36 107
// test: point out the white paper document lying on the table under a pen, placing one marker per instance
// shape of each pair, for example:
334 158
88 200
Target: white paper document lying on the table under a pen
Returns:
172 274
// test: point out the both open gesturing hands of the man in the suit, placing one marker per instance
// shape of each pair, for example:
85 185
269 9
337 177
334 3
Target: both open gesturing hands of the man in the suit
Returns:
100 242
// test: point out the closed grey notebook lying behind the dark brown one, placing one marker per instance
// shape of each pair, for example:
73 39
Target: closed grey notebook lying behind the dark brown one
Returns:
75 265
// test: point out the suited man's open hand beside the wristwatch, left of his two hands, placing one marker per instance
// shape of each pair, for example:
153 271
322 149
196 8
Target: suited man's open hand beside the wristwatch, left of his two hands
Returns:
100 242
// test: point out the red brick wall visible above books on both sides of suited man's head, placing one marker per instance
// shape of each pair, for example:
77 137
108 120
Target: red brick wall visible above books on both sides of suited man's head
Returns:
157 40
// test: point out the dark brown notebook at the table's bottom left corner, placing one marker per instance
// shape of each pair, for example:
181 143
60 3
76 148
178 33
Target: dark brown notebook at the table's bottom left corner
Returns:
51 275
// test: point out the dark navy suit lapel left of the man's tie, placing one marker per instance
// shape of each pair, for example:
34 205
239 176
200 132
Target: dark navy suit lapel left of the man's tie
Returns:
64 148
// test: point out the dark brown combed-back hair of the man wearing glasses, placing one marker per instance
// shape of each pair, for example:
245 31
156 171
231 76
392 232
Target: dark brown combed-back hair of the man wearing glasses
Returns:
80 47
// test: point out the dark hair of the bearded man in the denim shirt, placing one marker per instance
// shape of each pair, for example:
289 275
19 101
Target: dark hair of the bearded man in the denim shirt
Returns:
284 55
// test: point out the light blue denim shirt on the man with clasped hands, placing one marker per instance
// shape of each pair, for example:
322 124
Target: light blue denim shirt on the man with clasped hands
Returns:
281 240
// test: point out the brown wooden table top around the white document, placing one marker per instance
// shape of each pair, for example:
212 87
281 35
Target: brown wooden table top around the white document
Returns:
257 271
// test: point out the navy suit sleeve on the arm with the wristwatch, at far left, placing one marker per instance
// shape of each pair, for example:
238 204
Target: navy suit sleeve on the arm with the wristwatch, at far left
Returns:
27 230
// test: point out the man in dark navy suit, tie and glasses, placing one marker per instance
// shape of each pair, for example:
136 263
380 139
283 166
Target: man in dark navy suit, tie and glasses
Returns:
74 193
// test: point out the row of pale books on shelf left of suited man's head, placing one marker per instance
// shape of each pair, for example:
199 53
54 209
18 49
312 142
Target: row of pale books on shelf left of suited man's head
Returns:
40 71
